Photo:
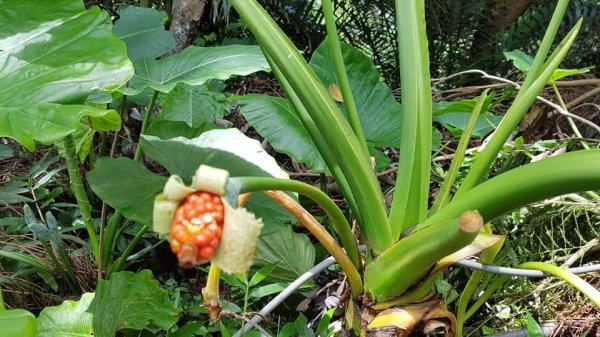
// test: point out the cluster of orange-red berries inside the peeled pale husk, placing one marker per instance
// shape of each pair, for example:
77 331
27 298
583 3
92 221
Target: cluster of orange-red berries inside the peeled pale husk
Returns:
197 228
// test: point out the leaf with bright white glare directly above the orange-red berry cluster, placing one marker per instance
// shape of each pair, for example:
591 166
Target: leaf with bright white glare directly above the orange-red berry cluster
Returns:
228 149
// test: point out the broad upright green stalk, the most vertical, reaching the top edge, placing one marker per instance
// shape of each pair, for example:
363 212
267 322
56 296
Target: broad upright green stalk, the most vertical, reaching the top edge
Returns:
409 206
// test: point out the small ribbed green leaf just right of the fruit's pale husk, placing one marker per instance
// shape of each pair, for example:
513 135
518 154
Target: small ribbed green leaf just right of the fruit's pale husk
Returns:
292 253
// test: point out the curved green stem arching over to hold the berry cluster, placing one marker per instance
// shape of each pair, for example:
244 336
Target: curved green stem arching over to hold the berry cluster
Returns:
341 225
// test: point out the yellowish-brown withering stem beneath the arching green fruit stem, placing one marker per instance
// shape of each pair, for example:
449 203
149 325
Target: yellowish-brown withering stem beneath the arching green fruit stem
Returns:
321 234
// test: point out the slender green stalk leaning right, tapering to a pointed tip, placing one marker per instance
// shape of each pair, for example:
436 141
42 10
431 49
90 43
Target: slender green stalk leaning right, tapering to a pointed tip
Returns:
515 114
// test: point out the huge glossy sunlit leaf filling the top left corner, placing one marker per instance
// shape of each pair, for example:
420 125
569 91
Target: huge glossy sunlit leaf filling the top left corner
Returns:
51 62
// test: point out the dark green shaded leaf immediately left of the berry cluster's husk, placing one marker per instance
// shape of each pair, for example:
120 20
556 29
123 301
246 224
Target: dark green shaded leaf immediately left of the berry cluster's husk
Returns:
127 186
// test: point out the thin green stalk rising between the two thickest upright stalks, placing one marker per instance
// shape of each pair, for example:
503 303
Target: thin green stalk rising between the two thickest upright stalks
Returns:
342 76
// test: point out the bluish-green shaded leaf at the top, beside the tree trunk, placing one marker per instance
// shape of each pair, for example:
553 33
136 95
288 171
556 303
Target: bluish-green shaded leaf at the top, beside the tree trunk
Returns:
143 30
